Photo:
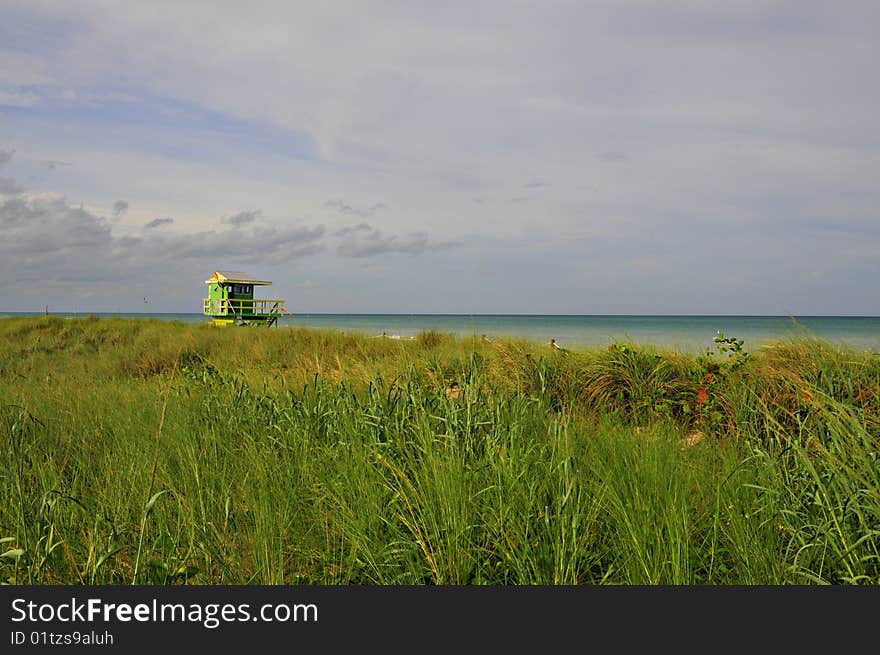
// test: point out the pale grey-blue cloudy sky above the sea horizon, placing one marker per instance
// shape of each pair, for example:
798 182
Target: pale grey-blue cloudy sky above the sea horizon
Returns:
543 157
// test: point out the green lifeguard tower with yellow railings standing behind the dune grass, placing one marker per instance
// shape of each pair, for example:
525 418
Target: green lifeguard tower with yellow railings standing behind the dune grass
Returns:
231 301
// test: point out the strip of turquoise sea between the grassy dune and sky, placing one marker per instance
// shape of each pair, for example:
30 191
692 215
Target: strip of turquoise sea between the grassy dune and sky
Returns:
685 333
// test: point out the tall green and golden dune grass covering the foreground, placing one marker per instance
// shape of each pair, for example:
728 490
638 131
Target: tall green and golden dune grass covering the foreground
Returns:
151 452
